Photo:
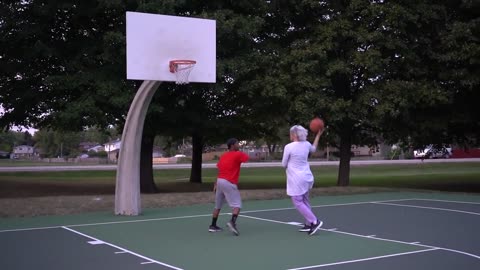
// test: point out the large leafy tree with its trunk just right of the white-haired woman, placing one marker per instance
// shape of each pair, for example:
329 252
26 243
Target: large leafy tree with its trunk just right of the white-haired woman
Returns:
367 67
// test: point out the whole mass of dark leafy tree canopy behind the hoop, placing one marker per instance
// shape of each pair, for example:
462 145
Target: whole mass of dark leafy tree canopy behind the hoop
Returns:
379 70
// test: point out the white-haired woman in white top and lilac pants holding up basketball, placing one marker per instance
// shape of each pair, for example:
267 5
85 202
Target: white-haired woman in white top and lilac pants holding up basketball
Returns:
299 176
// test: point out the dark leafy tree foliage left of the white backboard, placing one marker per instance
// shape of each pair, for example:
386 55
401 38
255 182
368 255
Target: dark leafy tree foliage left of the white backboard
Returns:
69 71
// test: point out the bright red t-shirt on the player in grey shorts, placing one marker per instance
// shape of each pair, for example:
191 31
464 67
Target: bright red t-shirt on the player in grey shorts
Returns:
229 165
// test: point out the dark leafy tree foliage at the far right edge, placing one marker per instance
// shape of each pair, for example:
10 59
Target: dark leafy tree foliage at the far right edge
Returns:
438 102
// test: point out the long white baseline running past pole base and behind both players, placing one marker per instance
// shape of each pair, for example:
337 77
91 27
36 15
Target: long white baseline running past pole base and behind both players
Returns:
192 216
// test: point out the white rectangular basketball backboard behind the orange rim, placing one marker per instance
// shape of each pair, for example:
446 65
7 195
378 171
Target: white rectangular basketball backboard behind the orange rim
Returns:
154 40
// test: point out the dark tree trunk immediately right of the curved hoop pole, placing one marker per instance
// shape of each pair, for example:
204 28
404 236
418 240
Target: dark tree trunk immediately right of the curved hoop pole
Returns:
147 184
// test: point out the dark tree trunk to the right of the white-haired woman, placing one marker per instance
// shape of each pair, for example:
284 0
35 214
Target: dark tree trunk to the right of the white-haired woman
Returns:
345 156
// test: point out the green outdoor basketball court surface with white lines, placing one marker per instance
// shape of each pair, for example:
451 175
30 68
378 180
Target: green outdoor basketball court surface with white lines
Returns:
391 230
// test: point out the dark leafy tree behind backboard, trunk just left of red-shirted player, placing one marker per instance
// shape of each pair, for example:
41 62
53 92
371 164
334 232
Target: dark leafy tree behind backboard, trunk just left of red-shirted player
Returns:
212 113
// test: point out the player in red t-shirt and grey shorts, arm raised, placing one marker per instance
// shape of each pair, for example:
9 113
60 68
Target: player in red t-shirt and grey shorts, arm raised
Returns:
226 185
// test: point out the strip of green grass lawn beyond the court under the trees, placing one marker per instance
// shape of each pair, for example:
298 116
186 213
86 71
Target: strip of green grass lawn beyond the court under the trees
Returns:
463 177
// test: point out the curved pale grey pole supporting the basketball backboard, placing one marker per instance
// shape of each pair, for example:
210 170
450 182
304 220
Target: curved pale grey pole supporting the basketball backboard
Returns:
127 189
